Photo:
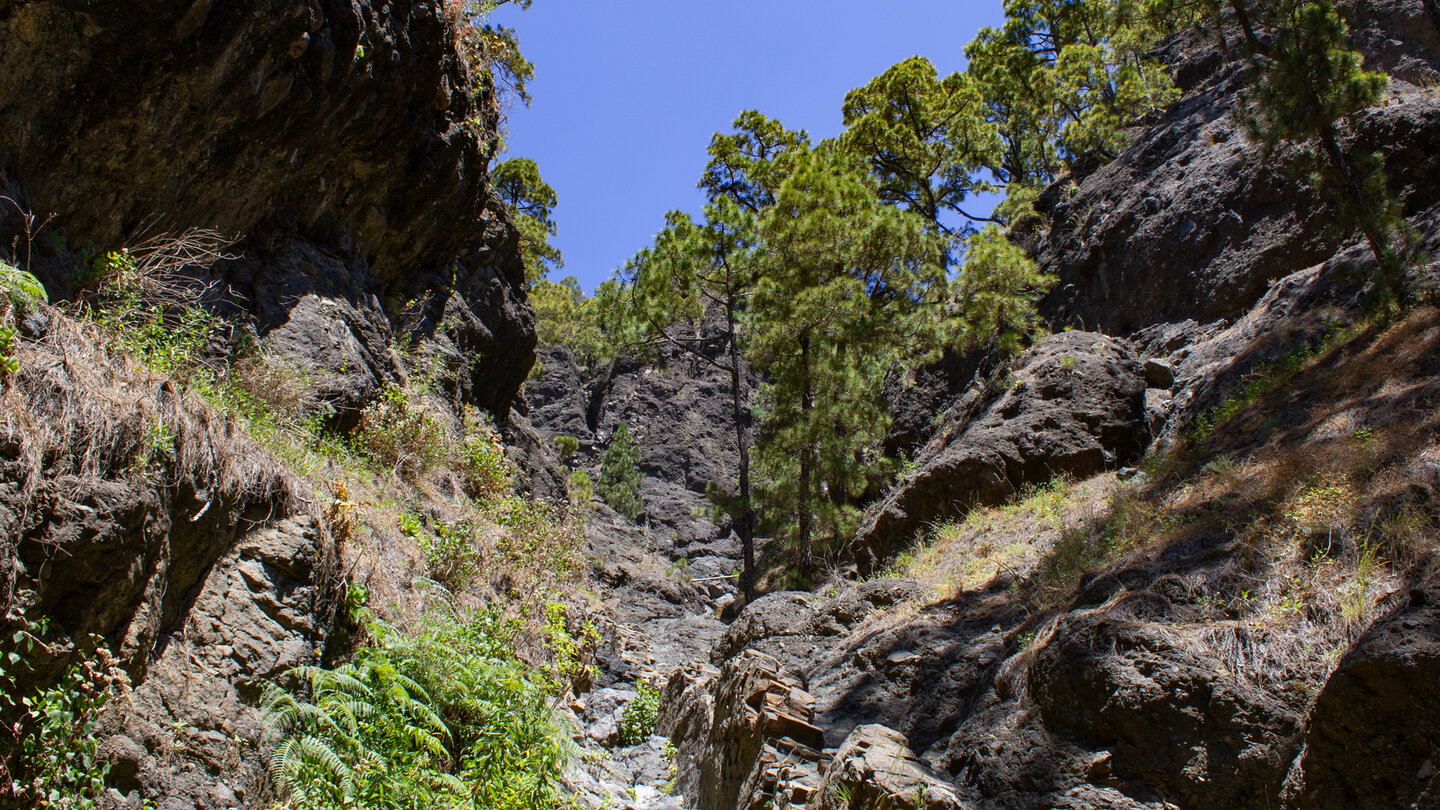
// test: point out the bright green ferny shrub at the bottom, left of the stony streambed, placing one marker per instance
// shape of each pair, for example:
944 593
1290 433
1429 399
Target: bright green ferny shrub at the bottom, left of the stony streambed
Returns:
444 717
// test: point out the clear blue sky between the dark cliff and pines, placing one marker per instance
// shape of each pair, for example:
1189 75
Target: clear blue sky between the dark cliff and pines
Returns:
627 94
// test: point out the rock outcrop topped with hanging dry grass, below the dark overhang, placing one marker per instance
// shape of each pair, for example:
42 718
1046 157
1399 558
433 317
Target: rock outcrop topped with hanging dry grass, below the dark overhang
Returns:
135 517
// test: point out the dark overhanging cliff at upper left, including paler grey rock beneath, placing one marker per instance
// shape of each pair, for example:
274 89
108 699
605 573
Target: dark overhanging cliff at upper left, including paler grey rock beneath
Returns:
336 142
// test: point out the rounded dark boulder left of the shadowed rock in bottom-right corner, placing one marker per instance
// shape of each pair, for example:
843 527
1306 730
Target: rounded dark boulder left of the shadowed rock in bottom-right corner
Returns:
1163 717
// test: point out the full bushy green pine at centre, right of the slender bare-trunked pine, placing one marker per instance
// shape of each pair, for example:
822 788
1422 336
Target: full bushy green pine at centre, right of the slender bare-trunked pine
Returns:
847 288
